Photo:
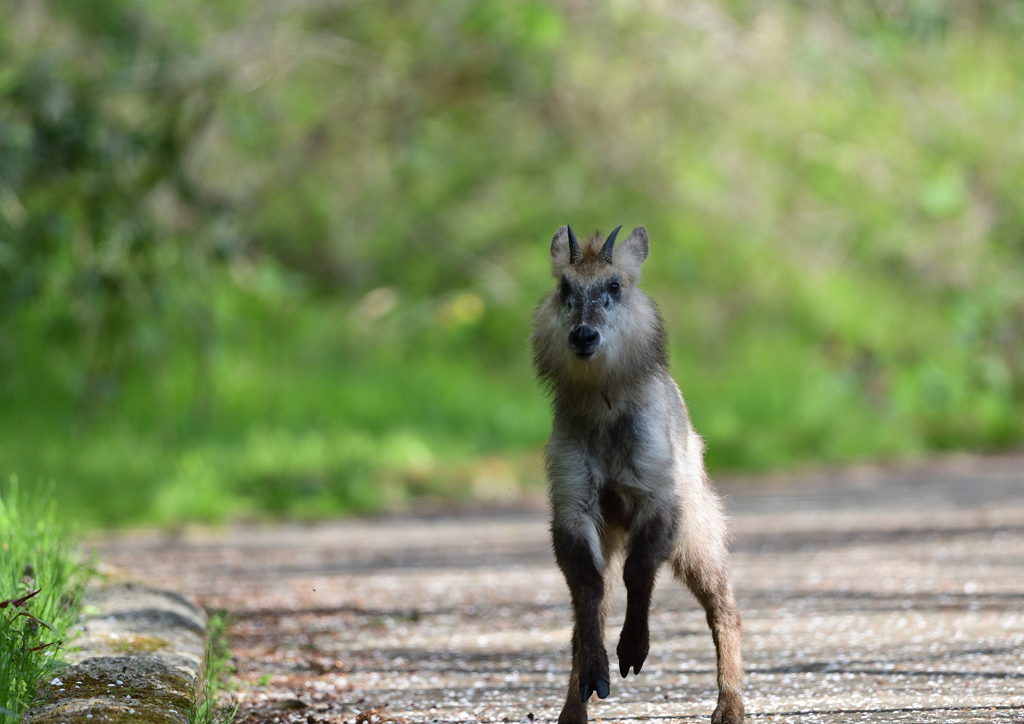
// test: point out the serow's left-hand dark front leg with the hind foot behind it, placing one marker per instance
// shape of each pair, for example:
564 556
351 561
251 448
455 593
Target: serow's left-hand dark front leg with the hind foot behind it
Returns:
590 661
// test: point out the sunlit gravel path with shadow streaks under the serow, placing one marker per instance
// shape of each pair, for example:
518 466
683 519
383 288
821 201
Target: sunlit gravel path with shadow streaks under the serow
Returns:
868 595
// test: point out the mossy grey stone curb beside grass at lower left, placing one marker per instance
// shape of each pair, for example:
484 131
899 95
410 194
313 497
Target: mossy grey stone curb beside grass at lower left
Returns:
135 659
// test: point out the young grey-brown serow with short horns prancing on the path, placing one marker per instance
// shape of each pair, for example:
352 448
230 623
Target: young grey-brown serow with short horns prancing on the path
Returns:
625 467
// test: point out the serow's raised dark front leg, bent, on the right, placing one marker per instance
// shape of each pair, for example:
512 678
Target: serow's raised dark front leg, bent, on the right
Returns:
650 546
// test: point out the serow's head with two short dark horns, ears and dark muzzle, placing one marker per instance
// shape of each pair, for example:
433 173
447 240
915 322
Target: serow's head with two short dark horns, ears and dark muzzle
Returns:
595 282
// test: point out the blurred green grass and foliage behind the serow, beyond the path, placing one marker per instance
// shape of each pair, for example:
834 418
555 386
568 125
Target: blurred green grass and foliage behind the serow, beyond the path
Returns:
280 258
